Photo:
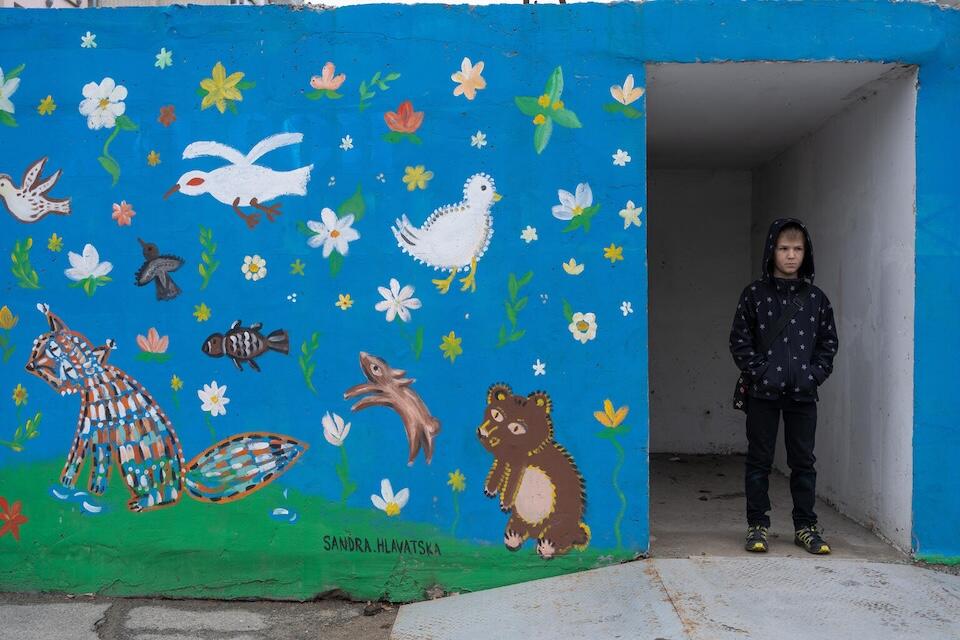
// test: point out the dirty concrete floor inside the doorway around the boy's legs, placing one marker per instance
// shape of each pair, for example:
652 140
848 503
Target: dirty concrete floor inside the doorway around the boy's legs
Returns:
698 508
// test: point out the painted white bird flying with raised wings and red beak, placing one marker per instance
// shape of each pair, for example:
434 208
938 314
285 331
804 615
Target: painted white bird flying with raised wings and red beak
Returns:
243 183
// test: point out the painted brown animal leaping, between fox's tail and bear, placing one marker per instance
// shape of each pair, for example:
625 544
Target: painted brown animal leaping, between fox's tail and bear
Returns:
390 387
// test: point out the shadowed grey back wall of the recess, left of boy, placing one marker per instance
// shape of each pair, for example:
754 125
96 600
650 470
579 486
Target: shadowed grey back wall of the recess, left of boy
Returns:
699 260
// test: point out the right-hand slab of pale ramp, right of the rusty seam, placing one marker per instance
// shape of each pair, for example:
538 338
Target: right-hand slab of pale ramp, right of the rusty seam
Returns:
787 598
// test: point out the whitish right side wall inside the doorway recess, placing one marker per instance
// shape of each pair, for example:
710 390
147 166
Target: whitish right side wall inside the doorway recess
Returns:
853 183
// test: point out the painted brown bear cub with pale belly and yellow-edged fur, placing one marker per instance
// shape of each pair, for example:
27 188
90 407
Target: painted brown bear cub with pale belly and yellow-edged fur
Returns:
538 482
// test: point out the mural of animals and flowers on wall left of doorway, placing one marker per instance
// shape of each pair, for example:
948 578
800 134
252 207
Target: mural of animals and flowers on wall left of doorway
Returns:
382 171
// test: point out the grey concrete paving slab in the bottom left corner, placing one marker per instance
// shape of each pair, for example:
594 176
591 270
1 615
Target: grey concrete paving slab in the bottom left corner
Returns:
64 621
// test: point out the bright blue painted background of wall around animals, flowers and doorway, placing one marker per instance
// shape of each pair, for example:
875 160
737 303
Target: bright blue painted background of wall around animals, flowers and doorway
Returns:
280 49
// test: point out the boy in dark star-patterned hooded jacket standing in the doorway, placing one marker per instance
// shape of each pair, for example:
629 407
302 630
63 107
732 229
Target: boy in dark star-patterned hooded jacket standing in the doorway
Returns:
784 339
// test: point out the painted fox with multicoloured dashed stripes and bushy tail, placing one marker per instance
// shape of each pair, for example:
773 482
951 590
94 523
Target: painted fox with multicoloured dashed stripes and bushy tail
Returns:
121 422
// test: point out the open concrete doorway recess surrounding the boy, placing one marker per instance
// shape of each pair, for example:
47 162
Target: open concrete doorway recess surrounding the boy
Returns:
731 146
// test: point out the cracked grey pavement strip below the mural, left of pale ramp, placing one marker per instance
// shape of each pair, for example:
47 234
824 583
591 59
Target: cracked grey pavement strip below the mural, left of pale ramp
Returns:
31 617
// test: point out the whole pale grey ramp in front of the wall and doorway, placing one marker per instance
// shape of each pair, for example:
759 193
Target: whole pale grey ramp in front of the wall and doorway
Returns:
754 598
